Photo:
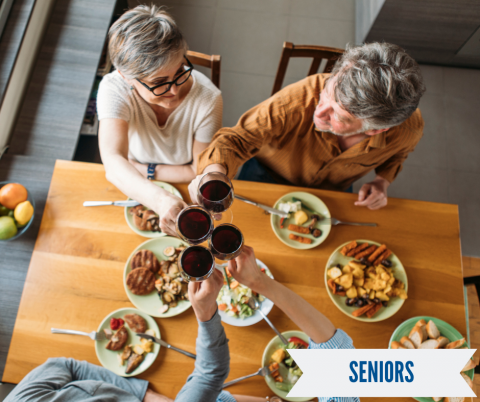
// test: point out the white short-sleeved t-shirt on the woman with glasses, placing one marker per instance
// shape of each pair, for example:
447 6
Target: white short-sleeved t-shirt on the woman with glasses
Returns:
199 116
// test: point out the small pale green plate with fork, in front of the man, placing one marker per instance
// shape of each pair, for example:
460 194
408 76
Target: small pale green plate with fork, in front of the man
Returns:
310 201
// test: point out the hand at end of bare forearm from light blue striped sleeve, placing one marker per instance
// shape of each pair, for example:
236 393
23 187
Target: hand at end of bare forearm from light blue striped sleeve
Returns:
245 270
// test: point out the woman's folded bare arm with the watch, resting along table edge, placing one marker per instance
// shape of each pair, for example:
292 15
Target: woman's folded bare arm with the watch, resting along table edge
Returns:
174 173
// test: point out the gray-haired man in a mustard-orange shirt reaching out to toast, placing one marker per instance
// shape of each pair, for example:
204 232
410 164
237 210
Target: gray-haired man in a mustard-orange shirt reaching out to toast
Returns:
329 130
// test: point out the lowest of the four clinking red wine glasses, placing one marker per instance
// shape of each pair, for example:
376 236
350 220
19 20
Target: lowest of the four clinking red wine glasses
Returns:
196 263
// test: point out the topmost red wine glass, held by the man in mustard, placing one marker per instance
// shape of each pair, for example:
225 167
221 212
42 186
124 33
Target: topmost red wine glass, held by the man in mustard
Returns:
215 194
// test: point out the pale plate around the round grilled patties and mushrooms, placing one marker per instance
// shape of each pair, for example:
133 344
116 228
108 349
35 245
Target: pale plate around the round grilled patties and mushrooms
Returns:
151 303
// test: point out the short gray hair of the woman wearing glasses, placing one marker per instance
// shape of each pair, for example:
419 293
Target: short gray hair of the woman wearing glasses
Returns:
144 40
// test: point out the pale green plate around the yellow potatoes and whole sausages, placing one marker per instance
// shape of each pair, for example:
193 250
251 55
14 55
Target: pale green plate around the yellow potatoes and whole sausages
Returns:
394 304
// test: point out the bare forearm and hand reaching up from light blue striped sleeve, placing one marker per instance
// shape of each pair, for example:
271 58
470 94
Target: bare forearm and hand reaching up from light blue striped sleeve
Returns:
245 270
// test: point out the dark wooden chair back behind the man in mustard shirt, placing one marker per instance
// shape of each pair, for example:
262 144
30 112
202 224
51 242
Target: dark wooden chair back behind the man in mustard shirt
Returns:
318 53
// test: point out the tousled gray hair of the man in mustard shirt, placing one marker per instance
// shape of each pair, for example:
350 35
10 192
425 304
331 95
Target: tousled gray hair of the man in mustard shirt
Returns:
378 83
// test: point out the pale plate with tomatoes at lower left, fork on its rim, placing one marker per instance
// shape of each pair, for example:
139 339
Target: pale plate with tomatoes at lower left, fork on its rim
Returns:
109 359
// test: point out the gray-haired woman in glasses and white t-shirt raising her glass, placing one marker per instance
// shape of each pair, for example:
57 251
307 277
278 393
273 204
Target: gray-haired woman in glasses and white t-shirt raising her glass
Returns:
157 113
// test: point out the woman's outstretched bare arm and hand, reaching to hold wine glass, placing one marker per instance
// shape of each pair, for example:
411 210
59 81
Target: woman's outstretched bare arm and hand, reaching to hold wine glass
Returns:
113 144
